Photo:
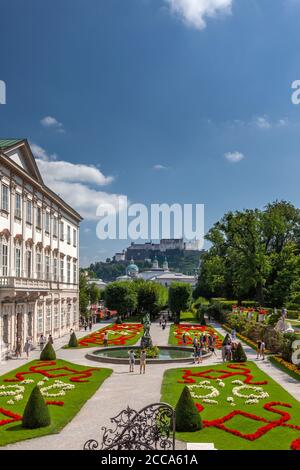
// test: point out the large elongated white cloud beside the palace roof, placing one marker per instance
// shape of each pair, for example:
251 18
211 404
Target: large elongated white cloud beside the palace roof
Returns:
77 184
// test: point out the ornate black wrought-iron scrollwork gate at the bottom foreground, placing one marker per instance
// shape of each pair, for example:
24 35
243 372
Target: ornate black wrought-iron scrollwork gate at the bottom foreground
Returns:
151 428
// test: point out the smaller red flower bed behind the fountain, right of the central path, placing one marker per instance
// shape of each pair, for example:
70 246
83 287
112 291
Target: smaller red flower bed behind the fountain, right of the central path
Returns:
176 332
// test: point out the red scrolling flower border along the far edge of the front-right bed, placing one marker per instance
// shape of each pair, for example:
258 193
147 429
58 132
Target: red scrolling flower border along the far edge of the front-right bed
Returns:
239 370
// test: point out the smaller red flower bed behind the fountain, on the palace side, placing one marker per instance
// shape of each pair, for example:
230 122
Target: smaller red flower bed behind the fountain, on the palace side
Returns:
124 334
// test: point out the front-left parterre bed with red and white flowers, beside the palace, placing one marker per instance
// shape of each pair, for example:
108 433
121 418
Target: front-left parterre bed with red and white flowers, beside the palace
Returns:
64 386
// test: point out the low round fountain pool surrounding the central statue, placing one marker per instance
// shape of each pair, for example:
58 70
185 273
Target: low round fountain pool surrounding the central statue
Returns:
167 354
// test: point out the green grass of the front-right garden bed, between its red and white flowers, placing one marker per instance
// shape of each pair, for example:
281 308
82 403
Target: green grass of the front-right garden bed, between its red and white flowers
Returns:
277 438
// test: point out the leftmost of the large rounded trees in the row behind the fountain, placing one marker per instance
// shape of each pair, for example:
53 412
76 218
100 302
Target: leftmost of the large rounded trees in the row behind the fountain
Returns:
121 296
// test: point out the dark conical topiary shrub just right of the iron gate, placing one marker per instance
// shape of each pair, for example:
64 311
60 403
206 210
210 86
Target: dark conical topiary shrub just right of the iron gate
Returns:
188 418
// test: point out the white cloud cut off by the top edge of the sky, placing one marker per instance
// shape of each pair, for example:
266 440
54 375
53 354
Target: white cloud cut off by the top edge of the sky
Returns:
195 12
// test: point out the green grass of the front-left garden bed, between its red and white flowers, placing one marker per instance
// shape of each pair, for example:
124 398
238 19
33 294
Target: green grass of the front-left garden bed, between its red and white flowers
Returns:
73 399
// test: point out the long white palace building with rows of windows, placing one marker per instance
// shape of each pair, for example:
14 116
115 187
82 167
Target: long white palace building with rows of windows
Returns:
39 239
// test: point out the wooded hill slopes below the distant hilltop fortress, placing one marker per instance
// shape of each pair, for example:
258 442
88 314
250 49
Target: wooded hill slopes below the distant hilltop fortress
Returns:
180 261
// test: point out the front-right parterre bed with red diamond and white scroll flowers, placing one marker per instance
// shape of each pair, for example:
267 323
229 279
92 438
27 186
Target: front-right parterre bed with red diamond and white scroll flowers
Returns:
241 407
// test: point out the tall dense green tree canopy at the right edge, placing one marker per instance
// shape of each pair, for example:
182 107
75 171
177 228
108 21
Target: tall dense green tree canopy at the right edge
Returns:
254 254
